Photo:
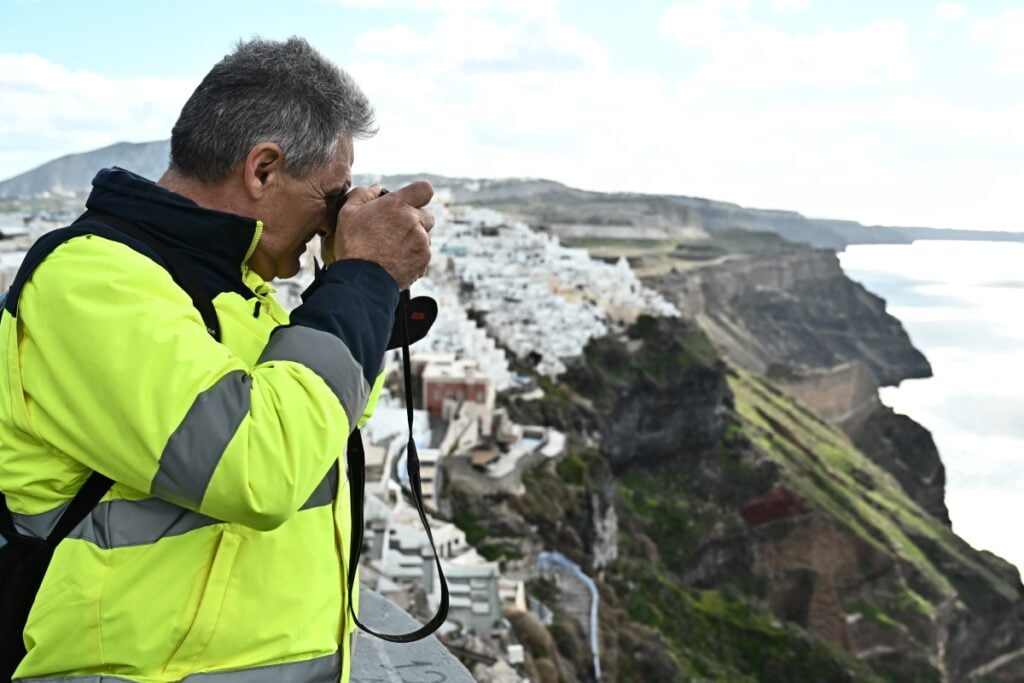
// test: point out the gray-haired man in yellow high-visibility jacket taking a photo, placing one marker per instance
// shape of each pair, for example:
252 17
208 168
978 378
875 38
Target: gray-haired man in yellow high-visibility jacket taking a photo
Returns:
219 554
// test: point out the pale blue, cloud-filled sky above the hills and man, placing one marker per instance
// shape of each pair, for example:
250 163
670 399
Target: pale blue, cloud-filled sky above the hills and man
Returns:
897 114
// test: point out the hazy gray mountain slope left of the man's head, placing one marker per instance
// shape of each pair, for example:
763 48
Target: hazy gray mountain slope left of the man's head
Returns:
73 174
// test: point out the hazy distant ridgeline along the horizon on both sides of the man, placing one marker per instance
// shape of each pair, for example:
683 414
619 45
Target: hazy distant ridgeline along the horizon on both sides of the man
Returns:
535 200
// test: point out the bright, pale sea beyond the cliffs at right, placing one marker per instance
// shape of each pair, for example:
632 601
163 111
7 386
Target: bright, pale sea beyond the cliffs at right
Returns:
963 306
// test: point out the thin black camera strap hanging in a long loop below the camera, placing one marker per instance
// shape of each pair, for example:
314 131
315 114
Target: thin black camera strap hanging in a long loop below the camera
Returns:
357 480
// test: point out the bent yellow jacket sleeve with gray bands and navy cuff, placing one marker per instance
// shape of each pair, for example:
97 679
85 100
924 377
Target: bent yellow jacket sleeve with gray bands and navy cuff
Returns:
120 375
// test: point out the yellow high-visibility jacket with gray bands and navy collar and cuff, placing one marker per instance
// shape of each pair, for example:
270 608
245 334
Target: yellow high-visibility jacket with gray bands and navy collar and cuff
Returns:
219 556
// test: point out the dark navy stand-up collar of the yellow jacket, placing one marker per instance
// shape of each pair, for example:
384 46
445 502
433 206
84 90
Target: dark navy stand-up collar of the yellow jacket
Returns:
207 235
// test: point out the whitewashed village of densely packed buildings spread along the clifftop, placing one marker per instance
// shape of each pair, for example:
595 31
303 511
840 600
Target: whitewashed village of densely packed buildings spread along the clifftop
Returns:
542 303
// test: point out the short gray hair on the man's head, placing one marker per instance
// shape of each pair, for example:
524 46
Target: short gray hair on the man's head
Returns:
269 92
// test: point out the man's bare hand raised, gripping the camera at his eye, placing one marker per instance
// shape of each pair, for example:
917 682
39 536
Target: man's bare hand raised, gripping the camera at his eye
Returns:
392 231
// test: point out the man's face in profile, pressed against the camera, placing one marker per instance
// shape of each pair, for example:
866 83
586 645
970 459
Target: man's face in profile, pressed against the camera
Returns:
300 209
